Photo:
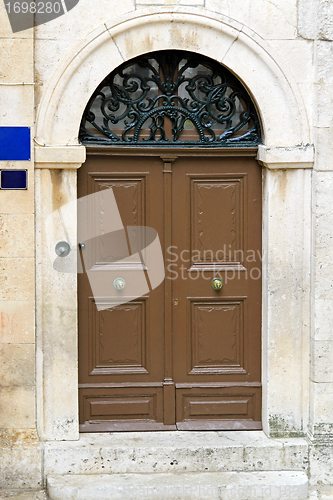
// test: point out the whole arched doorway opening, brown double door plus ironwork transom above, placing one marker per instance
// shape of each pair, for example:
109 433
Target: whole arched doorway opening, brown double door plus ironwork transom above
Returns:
174 135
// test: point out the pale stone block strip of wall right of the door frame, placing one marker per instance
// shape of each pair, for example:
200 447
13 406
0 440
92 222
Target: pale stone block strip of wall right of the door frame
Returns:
315 23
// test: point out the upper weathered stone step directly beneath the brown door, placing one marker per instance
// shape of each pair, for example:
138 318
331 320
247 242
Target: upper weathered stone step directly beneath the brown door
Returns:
147 452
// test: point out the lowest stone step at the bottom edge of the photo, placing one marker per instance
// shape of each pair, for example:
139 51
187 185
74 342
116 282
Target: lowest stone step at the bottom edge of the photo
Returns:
286 485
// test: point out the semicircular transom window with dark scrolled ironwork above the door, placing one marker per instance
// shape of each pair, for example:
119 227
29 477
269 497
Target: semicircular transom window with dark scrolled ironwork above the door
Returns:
171 98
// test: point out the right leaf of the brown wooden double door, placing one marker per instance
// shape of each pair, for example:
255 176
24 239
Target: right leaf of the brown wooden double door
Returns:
217 333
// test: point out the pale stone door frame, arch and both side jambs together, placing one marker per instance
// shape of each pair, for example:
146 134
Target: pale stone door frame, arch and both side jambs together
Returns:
286 155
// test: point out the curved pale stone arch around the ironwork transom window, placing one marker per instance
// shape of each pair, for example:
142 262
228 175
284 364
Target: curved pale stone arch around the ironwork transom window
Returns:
275 93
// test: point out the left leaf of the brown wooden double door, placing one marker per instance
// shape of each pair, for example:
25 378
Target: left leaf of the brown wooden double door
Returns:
121 355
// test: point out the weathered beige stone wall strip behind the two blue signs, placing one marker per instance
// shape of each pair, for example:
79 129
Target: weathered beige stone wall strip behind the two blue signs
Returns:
20 451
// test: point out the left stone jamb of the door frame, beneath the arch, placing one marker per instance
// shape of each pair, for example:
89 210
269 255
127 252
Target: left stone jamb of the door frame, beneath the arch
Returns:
56 314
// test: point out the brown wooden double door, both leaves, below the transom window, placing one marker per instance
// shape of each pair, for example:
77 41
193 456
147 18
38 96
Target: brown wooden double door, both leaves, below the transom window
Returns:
183 356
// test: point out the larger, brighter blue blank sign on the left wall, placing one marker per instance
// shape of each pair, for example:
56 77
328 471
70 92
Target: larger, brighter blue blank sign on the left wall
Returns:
15 144
